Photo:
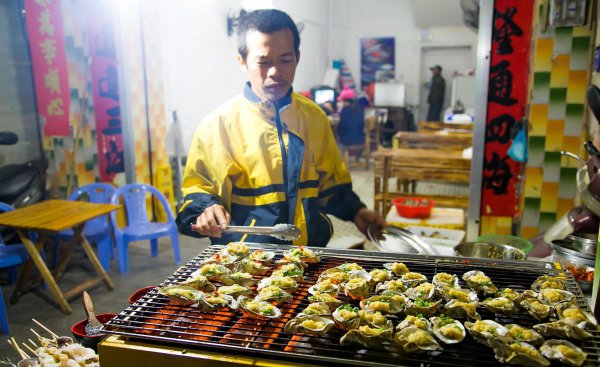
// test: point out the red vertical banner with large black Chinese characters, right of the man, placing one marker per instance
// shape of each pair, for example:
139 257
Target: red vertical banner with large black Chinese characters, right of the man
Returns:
507 99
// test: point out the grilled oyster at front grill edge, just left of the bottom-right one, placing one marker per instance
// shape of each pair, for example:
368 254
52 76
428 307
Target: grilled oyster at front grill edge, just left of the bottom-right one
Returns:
516 352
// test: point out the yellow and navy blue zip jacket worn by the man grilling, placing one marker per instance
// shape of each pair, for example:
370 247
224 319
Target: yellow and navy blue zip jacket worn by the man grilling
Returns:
272 162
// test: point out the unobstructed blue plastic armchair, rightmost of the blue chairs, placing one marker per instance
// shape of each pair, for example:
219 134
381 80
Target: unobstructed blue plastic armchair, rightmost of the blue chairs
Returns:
139 227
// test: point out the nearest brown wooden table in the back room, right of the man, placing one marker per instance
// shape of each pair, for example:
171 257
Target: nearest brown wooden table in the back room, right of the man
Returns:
419 164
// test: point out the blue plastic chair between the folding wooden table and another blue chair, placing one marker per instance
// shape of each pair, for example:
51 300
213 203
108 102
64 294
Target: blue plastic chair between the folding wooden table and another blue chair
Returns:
98 230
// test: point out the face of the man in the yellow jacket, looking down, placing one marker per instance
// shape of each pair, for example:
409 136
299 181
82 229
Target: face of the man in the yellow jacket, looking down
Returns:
271 63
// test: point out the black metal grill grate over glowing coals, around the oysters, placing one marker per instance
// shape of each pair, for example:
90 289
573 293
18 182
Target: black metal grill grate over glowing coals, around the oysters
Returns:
152 320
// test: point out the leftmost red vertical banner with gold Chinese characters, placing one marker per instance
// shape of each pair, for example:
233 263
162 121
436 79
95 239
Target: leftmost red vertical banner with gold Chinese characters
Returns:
50 72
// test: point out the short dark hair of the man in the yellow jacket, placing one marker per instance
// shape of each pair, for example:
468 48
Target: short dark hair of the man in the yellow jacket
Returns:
265 21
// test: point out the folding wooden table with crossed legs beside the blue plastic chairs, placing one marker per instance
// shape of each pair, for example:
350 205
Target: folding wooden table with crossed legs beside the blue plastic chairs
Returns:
47 218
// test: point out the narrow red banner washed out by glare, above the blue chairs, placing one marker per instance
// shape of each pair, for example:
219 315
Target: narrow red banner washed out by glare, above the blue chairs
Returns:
106 92
